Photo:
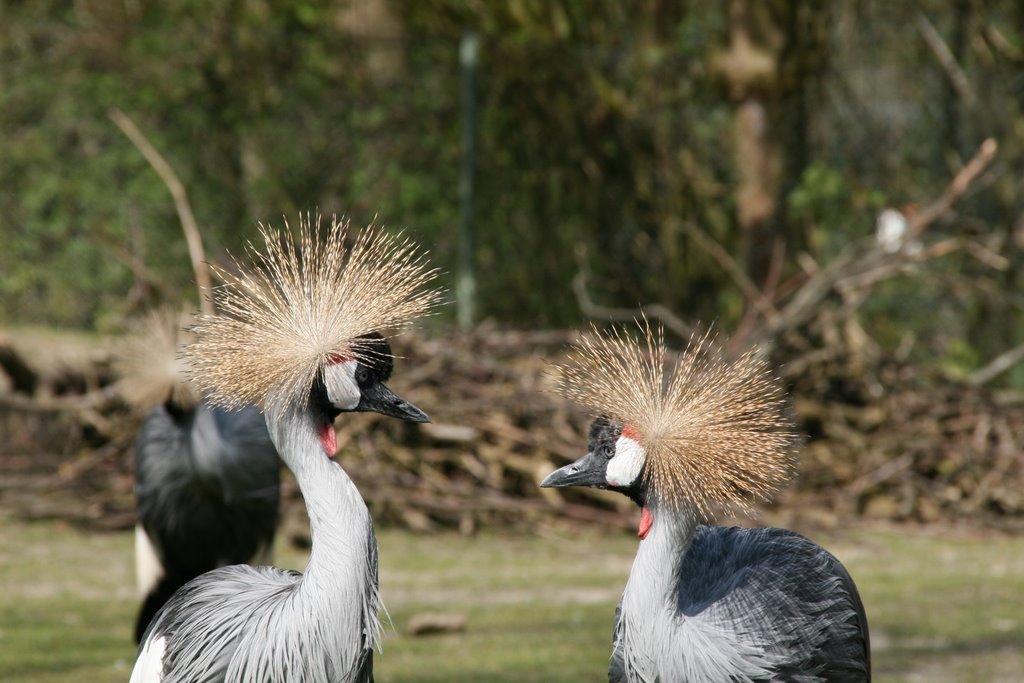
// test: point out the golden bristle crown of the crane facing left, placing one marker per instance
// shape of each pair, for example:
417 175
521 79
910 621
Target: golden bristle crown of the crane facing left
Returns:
715 431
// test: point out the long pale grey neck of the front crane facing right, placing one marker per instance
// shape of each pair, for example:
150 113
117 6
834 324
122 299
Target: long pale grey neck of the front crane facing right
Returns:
337 596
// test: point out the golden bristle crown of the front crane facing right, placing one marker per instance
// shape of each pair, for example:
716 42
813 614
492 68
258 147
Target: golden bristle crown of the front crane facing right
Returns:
303 304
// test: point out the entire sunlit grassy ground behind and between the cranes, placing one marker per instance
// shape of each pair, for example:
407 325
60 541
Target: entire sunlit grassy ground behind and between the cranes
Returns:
943 607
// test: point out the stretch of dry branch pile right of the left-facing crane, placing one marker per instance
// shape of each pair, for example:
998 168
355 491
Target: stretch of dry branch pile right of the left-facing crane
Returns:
890 444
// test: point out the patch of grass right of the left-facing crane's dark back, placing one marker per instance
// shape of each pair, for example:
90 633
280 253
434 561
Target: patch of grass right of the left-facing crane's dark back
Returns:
942 608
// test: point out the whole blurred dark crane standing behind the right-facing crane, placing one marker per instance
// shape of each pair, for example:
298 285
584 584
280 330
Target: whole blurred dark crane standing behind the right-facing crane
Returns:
207 481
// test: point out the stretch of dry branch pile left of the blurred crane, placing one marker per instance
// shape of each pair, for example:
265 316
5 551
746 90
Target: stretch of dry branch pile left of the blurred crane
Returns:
65 434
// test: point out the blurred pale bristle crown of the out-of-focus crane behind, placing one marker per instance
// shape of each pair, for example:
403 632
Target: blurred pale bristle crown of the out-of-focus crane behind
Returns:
151 367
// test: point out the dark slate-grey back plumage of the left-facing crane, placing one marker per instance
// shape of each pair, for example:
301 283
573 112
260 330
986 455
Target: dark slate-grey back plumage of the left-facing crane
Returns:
783 586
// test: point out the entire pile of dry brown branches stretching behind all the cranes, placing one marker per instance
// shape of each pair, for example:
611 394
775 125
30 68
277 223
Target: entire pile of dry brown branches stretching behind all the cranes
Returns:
883 441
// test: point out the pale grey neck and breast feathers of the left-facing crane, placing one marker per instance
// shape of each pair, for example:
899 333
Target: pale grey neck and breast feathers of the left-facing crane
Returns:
656 641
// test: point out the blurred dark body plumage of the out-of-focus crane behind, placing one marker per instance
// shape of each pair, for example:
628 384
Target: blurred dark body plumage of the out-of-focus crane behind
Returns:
207 482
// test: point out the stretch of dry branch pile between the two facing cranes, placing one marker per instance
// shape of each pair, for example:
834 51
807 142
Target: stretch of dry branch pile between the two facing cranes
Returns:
497 432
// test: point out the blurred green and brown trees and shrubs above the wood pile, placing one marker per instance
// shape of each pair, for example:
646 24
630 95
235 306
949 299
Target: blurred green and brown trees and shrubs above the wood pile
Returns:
606 134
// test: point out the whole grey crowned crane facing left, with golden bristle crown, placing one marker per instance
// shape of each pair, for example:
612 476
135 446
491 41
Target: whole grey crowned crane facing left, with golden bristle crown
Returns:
703 603
